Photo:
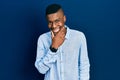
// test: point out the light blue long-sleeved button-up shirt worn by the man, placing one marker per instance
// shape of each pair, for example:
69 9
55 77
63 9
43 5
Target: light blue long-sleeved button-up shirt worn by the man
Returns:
70 62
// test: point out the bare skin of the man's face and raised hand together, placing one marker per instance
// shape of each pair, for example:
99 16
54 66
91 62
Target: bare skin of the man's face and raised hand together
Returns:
56 22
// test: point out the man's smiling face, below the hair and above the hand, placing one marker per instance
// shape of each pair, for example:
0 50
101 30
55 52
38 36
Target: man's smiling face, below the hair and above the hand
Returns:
56 21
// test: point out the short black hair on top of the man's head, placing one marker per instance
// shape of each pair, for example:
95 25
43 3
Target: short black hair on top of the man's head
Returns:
53 8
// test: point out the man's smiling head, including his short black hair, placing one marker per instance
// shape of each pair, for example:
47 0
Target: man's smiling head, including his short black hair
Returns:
55 17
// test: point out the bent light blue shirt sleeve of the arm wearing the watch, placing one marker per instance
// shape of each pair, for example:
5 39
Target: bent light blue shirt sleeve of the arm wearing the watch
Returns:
45 57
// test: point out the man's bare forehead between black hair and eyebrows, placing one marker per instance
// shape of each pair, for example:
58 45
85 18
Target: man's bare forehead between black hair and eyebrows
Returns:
54 16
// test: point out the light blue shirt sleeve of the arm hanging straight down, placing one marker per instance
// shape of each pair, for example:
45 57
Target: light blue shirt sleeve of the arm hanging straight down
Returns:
84 61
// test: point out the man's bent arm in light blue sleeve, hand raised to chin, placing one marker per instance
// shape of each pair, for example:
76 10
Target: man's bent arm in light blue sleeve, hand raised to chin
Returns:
45 58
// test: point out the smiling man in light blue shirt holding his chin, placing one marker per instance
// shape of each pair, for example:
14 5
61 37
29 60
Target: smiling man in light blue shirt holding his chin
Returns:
62 52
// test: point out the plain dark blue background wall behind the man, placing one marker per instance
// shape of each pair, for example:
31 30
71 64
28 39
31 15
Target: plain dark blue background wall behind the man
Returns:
22 21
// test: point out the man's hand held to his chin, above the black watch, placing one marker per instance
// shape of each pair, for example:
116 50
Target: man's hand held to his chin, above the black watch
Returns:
59 38
